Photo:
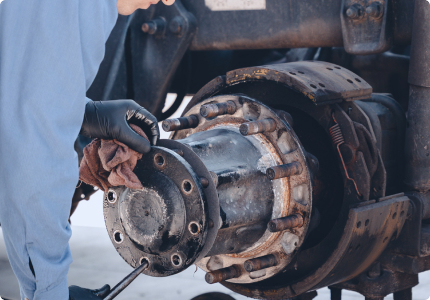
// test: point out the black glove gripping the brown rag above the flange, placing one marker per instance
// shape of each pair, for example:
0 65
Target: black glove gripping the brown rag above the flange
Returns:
109 120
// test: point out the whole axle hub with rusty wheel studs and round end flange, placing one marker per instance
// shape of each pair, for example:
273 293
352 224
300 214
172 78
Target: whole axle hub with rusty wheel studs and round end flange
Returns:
231 191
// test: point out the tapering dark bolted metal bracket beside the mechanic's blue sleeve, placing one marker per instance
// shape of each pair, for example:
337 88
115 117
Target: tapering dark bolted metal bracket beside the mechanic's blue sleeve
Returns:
158 42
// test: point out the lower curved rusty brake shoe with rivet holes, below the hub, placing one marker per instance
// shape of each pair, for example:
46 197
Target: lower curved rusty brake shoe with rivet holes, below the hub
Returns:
367 233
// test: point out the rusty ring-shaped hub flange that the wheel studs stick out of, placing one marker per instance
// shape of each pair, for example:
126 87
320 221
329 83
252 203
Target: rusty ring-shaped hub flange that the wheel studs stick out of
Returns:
292 194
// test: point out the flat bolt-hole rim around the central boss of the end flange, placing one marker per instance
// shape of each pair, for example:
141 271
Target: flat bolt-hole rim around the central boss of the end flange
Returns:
187 245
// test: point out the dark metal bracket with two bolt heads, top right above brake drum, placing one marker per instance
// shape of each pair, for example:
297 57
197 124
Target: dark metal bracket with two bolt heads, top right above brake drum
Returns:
365 26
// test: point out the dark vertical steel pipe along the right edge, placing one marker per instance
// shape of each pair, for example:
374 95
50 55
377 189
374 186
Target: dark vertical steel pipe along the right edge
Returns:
417 140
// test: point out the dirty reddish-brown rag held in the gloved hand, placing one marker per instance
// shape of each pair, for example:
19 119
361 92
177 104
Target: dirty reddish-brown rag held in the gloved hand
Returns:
109 163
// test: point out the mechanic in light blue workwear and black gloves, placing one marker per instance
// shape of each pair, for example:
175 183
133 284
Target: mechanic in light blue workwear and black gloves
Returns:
50 52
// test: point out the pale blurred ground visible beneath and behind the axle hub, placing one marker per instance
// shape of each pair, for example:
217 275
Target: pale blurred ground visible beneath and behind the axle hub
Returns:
96 263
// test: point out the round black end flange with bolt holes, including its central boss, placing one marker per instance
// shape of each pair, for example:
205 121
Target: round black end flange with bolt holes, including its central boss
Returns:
154 223
